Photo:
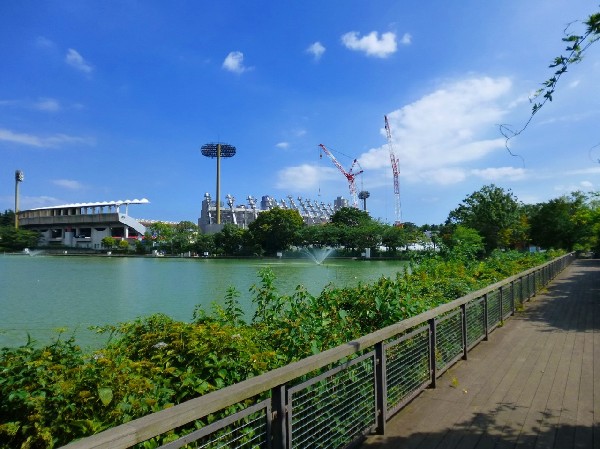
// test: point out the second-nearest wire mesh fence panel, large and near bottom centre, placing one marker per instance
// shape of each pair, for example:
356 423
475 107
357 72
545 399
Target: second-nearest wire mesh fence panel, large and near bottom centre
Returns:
335 408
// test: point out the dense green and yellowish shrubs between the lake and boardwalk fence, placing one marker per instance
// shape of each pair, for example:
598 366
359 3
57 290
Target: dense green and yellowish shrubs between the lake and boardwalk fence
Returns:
53 394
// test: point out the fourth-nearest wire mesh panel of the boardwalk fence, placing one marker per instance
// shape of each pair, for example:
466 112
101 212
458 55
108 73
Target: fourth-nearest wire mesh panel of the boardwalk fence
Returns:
449 340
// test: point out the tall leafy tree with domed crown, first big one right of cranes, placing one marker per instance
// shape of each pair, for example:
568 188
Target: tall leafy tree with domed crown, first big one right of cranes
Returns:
492 212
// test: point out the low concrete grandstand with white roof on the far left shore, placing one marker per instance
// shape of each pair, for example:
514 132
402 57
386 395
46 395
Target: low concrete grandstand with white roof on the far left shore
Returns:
83 225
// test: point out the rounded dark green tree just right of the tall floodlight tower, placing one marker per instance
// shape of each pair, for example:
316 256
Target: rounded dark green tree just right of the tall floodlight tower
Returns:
276 229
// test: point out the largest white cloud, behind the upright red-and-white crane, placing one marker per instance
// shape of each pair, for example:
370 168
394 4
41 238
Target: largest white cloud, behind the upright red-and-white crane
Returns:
434 136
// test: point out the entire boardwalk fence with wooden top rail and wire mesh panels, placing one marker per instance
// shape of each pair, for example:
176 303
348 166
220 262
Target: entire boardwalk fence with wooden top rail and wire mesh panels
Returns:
333 399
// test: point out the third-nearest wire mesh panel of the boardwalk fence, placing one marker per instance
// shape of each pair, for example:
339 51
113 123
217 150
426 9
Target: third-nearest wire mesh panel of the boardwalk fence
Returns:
407 367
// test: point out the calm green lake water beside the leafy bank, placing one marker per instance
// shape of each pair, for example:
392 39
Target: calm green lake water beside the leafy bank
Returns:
39 294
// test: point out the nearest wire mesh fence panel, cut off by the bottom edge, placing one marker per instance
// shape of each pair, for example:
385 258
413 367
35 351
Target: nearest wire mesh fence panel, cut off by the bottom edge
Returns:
247 429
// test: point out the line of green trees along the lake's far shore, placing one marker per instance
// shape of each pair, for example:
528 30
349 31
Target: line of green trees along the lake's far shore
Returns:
488 219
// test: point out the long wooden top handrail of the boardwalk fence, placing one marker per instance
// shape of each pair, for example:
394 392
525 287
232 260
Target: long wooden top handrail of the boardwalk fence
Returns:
144 428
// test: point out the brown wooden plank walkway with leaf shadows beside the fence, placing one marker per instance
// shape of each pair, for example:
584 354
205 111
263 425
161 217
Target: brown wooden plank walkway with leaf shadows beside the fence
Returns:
534 384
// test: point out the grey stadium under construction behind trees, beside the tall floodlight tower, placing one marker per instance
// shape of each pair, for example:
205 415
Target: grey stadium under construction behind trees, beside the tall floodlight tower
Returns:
312 212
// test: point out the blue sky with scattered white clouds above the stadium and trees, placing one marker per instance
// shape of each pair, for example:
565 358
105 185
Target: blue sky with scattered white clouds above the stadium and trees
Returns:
112 100
